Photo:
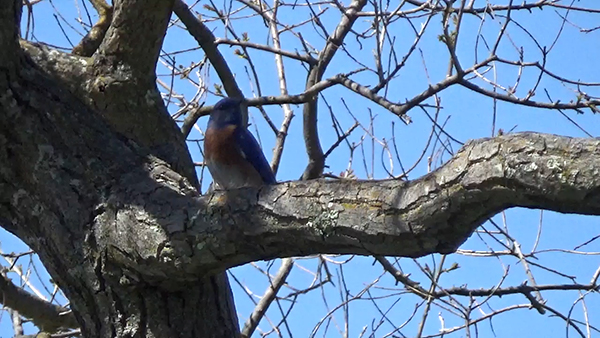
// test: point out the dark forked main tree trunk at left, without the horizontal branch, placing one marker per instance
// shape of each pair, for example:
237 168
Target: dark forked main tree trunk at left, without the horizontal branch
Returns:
56 179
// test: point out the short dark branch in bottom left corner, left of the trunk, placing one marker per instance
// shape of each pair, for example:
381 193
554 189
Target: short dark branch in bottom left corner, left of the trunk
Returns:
46 316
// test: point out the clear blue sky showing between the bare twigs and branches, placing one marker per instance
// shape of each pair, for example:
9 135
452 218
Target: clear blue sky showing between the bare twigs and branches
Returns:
465 115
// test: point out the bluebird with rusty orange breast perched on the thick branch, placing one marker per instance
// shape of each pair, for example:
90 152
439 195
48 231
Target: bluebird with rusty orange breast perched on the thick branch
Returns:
231 153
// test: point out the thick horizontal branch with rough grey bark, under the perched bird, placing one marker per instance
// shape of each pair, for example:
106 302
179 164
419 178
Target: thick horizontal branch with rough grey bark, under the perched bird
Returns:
436 213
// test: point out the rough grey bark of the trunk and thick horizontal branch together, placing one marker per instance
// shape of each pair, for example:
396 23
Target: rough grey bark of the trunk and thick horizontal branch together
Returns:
95 177
